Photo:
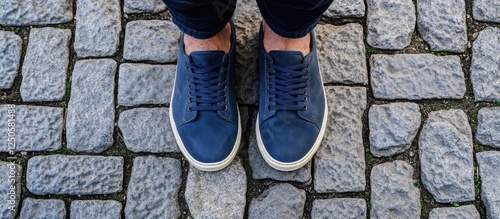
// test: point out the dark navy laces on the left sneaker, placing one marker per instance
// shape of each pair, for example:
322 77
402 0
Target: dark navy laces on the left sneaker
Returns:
207 87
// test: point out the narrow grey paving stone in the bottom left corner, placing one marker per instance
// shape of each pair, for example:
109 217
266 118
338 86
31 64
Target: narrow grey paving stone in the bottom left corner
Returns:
10 187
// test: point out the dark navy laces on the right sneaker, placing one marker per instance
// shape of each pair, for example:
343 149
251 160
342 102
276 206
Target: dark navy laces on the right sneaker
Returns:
288 86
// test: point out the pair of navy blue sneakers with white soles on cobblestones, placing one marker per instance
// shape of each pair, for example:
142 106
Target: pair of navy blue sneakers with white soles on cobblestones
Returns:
292 108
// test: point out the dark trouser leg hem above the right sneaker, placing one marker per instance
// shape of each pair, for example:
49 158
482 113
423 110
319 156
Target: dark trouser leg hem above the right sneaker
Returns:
292 18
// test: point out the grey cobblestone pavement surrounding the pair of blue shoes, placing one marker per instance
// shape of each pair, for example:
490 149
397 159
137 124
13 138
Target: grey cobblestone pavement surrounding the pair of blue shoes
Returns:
414 118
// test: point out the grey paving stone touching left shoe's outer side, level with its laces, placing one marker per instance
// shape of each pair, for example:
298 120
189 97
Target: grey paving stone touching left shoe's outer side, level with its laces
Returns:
145 84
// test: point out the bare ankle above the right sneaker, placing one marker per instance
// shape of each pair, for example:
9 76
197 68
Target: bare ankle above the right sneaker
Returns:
273 41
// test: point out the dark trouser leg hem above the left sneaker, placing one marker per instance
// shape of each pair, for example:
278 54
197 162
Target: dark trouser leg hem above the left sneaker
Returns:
201 19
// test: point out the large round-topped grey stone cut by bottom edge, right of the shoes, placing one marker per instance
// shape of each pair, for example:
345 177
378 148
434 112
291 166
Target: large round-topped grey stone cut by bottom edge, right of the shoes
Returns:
393 194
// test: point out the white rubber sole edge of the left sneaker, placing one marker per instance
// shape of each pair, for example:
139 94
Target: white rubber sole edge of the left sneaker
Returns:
209 167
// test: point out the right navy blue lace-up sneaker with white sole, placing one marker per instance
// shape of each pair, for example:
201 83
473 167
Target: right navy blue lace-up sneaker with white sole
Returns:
292 109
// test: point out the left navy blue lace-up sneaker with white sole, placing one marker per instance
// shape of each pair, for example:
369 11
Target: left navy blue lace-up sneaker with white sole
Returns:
203 111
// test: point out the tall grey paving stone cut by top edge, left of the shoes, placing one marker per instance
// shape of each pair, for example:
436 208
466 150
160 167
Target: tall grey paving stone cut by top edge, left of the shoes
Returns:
98 27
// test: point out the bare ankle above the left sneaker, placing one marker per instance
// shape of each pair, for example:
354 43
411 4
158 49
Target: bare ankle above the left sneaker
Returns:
221 41
